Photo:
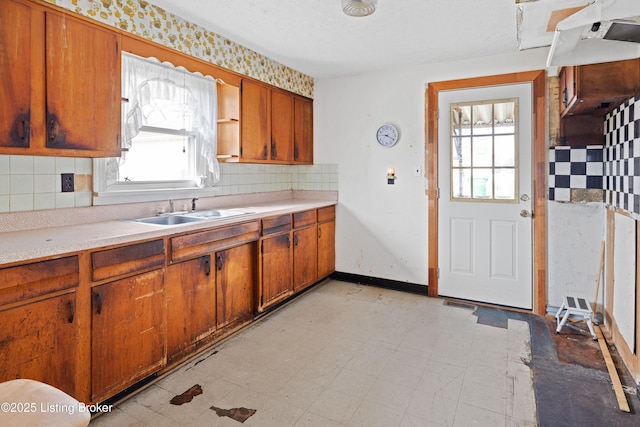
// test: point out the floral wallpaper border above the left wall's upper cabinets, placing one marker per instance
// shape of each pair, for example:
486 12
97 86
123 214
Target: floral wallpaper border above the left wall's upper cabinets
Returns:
153 23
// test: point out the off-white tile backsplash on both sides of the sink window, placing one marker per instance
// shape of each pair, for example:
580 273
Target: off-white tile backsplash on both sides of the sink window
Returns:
30 183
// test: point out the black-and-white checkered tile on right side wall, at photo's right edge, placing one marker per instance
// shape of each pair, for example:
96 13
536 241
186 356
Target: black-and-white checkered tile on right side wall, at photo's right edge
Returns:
622 157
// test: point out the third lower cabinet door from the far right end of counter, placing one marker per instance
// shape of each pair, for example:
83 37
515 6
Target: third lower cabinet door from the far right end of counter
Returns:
276 268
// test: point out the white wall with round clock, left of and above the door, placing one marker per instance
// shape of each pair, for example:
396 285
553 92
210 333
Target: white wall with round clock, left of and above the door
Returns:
382 229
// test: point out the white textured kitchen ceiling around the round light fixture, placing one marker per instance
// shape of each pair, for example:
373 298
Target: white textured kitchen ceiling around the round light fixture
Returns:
316 38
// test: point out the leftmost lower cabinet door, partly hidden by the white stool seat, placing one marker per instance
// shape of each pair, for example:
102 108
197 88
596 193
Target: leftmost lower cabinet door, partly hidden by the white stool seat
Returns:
39 341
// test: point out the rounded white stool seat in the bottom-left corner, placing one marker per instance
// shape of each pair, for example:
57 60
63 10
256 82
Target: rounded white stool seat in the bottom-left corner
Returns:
29 403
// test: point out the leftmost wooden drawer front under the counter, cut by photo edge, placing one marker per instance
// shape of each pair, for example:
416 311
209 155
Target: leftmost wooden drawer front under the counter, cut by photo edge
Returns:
38 278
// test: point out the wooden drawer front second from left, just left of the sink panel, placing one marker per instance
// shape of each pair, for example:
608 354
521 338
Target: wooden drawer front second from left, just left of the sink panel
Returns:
127 259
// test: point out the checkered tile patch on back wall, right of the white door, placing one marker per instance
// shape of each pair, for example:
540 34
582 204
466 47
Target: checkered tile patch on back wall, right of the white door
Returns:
572 167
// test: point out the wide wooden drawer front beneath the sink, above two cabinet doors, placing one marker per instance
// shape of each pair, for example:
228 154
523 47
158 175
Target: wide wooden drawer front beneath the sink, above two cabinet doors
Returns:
196 244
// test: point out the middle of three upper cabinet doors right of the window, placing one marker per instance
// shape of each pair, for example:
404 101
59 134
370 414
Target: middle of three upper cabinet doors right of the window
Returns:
281 126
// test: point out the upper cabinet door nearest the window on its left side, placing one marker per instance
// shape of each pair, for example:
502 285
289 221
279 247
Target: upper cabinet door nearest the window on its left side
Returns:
83 86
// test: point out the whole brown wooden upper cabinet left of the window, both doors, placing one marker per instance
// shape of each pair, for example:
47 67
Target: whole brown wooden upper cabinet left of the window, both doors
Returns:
60 97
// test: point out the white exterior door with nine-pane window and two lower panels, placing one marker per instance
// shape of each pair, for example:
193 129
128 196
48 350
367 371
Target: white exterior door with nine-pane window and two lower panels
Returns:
485 190
